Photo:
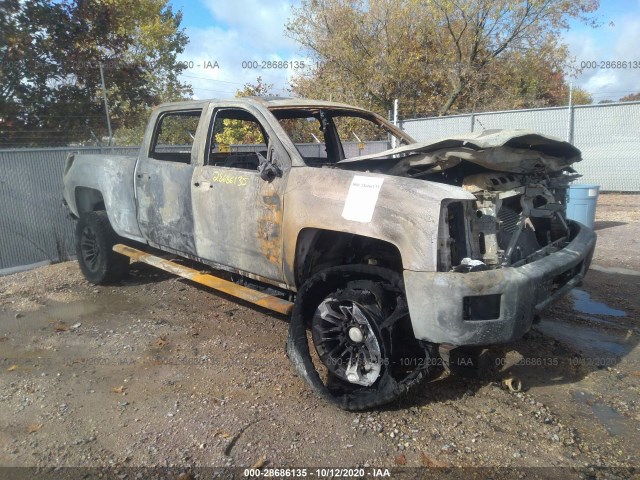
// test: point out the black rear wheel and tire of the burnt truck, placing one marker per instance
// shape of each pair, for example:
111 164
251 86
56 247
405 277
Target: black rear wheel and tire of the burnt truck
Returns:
95 239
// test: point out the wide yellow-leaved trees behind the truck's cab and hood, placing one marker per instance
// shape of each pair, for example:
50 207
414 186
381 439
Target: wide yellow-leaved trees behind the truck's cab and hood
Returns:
437 56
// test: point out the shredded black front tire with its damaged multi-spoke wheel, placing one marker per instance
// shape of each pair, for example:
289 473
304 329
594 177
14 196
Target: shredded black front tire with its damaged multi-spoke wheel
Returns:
365 352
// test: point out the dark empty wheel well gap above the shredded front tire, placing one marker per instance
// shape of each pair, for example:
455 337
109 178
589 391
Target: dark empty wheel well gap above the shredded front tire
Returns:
318 249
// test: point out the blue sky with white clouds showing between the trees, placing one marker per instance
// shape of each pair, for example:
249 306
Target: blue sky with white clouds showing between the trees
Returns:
229 38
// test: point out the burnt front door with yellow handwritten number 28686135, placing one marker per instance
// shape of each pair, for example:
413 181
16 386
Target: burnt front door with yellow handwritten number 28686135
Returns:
238 214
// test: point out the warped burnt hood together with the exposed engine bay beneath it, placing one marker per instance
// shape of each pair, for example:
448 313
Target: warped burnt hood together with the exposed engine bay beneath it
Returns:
520 182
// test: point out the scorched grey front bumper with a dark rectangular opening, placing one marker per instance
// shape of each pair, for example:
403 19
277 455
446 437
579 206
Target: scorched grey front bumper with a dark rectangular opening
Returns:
494 306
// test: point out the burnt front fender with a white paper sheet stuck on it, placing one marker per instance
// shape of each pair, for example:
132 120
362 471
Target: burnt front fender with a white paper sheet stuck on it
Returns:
405 212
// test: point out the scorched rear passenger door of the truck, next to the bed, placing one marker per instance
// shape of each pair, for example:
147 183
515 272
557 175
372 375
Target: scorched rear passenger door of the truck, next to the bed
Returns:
163 181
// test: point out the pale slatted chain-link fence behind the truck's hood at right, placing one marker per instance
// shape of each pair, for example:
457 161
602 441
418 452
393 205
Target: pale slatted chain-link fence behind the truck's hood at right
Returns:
607 134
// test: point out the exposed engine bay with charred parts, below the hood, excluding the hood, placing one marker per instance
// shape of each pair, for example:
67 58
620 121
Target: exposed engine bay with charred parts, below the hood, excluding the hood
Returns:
516 219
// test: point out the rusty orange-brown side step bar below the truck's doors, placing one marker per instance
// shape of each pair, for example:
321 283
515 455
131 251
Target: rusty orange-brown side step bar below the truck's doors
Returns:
252 296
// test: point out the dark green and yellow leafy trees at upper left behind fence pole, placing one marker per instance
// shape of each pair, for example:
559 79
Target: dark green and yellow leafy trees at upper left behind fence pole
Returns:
50 53
